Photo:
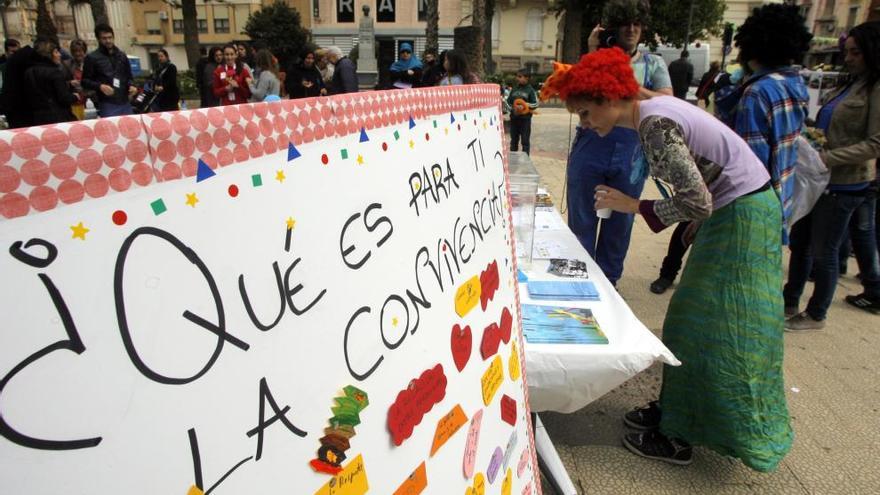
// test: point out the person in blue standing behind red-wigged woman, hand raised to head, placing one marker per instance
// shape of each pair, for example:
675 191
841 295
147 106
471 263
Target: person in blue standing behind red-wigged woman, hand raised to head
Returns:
607 160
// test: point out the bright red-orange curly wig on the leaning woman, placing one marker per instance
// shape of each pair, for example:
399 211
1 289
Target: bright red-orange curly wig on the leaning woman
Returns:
605 74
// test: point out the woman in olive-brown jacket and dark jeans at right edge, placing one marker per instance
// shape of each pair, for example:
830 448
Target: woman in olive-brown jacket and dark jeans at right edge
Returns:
851 121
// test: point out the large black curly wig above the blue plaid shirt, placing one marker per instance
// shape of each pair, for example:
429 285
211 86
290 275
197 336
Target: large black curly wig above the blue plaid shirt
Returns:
774 35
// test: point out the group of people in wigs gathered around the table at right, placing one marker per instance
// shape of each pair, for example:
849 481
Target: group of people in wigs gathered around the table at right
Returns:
726 178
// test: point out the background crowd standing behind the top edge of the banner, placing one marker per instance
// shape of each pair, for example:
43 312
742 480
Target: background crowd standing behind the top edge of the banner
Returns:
44 84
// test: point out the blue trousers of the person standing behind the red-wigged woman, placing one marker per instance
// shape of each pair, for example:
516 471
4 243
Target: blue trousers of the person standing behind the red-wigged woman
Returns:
596 160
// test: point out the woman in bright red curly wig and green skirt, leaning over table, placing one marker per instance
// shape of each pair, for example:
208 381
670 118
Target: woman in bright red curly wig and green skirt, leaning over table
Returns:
724 321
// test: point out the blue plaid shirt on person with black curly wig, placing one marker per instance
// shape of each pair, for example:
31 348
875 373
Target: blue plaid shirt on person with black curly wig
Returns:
769 116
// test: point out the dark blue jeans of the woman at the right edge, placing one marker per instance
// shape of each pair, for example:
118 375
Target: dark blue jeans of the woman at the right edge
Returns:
816 239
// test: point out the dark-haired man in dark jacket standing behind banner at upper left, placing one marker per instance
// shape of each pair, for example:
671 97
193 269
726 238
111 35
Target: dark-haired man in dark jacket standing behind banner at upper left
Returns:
107 72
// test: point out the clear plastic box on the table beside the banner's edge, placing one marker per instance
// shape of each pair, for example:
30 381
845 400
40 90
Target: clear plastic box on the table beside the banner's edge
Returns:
523 192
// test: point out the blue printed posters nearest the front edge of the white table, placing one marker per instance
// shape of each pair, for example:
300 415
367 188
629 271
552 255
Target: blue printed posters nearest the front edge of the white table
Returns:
560 325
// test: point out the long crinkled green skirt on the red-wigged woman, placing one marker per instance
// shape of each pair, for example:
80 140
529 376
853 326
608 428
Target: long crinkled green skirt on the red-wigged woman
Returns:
725 324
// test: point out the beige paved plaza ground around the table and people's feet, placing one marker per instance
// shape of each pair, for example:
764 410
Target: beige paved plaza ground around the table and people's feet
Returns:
832 384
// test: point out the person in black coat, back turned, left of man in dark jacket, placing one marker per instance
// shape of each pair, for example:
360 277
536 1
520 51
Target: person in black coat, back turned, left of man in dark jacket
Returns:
49 93
